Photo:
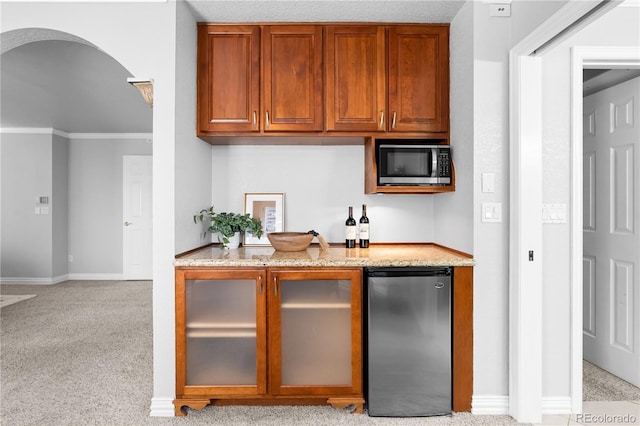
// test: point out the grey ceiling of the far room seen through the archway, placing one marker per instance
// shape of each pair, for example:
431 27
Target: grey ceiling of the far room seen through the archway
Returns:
70 87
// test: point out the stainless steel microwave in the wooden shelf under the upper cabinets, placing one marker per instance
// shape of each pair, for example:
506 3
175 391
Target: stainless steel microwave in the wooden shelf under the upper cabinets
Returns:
413 164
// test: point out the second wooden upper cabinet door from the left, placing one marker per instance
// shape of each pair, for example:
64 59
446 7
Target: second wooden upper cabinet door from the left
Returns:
292 78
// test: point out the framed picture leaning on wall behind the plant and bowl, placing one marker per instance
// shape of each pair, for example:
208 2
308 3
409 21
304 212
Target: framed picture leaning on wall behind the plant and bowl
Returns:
269 208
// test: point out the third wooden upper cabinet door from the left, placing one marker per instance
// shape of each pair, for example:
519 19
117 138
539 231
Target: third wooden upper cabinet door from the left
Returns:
355 78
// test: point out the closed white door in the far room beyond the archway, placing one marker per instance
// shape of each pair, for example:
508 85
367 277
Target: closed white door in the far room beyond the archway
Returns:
136 217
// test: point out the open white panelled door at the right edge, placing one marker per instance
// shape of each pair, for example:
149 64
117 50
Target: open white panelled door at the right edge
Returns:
611 217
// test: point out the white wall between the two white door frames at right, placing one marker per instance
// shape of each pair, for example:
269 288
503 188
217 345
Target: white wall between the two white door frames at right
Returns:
618 27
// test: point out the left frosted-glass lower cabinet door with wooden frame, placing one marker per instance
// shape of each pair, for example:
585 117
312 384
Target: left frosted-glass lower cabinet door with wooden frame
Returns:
224 331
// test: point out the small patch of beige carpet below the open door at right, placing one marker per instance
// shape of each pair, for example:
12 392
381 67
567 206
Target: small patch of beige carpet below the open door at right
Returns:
600 385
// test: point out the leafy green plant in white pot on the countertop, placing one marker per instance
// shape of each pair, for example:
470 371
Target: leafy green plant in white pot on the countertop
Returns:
229 226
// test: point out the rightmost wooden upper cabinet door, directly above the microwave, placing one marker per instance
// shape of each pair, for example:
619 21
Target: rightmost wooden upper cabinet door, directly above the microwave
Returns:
419 78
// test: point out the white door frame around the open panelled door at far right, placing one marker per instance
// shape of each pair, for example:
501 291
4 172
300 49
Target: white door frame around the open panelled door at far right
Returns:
584 57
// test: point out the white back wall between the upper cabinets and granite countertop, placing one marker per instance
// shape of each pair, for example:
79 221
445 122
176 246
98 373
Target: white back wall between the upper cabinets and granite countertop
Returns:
320 182
